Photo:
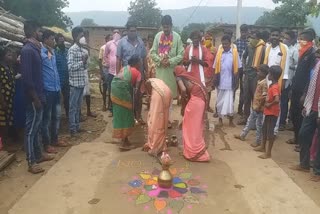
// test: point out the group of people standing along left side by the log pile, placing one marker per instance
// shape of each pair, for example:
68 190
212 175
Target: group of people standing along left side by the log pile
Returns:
33 80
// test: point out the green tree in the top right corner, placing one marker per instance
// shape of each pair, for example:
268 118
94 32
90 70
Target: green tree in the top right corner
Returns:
291 13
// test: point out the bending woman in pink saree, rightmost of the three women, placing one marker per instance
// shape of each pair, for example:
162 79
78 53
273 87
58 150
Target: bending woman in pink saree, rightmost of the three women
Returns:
194 146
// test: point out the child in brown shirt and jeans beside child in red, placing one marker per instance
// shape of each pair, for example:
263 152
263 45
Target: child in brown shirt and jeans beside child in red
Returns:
256 116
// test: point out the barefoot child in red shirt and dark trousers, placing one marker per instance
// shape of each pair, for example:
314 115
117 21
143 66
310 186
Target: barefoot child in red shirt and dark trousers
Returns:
271 112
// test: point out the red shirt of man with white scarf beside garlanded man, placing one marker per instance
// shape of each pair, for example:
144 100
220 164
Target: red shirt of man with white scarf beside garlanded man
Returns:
195 67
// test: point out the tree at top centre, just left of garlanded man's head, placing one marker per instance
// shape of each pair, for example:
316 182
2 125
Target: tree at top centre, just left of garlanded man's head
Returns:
145 13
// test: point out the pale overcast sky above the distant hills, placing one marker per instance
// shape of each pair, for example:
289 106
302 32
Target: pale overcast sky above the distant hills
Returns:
122 5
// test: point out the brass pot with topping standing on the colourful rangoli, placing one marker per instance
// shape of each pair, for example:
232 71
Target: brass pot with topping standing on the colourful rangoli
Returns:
165 177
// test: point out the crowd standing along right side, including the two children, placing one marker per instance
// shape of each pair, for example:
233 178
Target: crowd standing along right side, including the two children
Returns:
291 63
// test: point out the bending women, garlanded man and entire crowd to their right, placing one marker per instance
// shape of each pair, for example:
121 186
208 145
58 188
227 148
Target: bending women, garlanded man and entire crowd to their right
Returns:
277 73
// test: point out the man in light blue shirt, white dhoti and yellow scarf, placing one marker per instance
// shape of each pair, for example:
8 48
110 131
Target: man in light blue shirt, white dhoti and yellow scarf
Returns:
227 64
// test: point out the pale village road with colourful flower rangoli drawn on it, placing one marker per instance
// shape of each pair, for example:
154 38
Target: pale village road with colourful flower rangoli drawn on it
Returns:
94 177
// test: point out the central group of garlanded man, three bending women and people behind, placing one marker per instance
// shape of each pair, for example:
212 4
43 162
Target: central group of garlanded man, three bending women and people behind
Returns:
157 69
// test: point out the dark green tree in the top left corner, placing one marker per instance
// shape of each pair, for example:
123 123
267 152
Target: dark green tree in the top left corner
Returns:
46 12
